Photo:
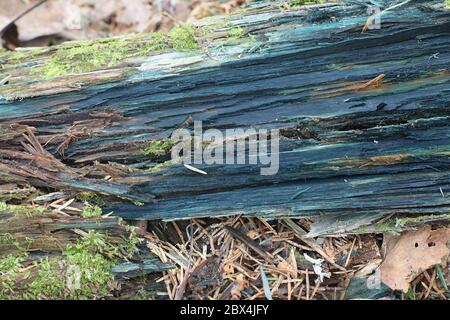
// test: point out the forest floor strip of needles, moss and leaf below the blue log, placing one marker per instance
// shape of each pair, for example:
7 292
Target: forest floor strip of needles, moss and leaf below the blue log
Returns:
222 258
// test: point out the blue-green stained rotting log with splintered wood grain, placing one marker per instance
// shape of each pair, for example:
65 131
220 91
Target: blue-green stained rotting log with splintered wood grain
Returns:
364 116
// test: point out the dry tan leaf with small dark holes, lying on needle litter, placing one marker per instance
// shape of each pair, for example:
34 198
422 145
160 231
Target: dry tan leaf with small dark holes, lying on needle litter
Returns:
411 253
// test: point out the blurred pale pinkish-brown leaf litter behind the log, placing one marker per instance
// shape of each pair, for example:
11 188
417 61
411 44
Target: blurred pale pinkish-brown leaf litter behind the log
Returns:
54 21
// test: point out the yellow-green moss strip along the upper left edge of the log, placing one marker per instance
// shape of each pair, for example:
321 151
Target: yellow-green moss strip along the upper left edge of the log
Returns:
90 55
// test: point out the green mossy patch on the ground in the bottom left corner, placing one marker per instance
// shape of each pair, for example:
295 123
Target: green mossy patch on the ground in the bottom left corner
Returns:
82 271
